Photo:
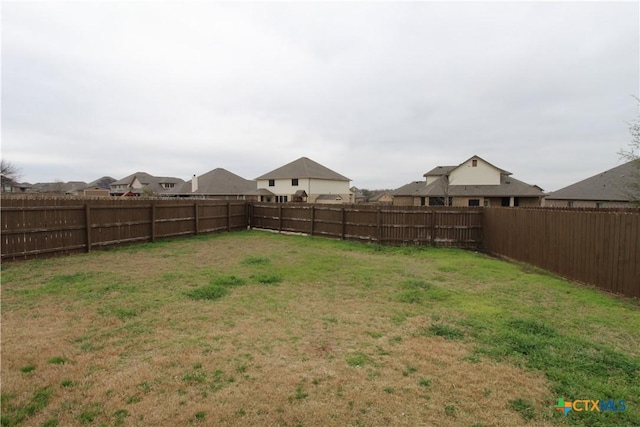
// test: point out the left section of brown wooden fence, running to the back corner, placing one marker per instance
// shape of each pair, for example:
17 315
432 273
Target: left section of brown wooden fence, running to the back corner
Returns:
39 227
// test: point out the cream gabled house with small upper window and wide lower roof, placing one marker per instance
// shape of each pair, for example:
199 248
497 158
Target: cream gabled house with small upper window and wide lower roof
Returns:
474 182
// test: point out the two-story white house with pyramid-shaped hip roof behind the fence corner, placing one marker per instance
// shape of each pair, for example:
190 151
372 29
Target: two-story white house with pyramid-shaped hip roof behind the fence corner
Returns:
306 181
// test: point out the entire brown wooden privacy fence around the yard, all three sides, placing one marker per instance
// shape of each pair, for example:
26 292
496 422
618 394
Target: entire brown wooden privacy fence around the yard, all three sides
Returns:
597 247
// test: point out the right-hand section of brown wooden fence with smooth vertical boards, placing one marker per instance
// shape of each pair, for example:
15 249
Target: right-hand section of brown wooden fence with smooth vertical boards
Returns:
598 247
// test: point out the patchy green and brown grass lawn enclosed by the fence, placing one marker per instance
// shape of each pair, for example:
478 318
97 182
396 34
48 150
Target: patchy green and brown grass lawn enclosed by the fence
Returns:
256 328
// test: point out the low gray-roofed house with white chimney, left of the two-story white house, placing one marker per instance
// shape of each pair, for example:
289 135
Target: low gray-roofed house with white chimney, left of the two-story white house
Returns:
217 184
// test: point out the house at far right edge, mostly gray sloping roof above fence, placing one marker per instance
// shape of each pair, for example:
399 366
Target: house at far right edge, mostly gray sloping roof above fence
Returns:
610 189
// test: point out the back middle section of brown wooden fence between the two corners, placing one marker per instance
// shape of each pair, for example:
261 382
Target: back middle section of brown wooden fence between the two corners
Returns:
459 227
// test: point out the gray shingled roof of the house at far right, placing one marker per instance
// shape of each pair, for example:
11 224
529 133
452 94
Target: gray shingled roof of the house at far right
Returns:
610 185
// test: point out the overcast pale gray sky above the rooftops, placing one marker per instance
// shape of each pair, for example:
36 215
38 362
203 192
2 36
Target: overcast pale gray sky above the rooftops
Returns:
380 92
